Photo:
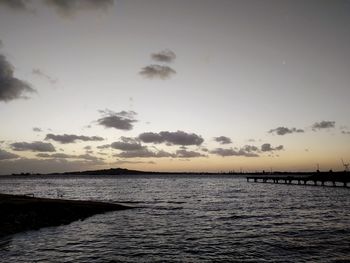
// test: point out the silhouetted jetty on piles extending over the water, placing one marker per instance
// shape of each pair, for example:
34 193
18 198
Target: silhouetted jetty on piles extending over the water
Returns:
317 179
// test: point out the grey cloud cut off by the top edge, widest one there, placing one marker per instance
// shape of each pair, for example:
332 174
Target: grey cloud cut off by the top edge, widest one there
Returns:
68 8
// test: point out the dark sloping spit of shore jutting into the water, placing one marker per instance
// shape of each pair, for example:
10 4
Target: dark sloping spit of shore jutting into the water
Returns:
21 213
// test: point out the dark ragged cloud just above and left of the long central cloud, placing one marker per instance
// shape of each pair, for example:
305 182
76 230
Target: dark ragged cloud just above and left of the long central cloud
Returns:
119 120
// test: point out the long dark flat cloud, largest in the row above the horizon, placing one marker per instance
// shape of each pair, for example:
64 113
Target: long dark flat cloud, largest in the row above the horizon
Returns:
173 138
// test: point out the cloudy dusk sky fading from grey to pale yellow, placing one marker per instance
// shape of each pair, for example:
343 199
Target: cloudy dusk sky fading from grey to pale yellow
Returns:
187 85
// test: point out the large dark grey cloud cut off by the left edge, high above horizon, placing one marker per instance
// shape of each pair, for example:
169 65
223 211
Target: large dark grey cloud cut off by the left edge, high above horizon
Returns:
11 88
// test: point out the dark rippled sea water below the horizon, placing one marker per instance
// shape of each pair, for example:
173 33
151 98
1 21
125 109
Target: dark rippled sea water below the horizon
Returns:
187 219
